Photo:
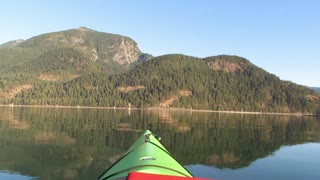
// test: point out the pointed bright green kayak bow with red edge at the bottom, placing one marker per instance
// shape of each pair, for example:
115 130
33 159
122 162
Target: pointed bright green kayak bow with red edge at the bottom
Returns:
146 157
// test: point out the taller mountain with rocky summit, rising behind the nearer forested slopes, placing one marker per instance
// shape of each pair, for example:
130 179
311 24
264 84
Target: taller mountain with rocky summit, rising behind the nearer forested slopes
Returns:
64 55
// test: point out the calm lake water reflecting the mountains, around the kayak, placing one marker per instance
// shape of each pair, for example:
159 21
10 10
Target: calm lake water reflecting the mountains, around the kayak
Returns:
52 143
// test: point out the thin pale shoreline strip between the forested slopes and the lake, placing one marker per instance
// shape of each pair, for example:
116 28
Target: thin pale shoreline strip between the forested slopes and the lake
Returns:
160 108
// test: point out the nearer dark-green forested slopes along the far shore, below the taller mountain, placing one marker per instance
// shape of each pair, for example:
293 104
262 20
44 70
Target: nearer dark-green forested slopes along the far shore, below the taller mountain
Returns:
247 88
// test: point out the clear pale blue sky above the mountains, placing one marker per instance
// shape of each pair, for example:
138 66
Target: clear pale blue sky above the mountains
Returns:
280 36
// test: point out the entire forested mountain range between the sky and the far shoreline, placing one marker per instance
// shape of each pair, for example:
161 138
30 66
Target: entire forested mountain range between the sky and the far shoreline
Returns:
88 68
